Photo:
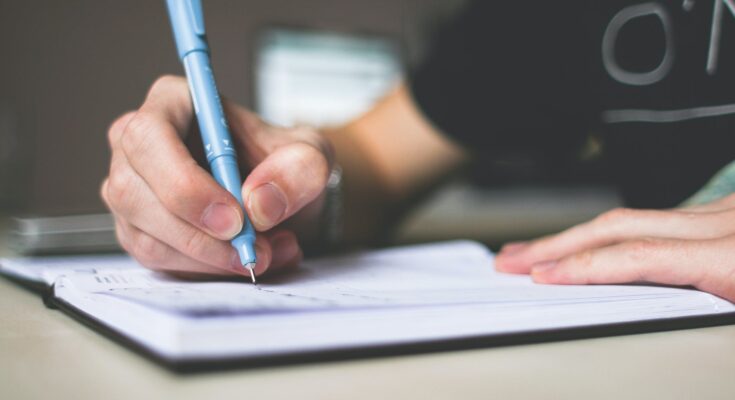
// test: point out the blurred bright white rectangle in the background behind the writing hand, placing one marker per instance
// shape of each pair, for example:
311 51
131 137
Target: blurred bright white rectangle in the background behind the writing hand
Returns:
321 79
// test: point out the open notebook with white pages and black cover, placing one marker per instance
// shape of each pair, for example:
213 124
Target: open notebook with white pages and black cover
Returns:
415 298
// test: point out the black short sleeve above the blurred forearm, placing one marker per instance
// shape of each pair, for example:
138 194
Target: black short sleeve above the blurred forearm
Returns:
511 78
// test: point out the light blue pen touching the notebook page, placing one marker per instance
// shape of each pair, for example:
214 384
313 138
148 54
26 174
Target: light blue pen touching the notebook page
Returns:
187 20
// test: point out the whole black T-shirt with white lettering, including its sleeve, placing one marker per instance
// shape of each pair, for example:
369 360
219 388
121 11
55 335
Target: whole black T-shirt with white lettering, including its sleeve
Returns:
523 85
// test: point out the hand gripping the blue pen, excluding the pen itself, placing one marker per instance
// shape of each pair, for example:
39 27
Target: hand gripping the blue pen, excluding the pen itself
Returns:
170 213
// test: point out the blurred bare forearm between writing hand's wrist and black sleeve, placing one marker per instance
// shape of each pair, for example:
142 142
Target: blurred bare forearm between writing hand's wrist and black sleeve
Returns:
389 157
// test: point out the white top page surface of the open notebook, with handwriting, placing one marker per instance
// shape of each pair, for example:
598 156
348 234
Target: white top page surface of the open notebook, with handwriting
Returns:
364 281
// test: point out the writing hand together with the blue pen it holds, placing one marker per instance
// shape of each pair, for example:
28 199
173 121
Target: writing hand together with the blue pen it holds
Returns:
171 214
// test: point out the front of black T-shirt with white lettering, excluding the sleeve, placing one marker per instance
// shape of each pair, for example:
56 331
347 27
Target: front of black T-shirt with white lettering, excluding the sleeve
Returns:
664 72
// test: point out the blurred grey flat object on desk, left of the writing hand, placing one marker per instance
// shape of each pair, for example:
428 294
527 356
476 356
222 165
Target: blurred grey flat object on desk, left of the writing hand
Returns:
87 233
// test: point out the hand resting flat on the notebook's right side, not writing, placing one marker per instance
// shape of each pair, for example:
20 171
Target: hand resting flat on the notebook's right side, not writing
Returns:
692 246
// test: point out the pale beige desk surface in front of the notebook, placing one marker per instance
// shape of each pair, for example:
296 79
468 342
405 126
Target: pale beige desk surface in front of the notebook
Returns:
43 353
